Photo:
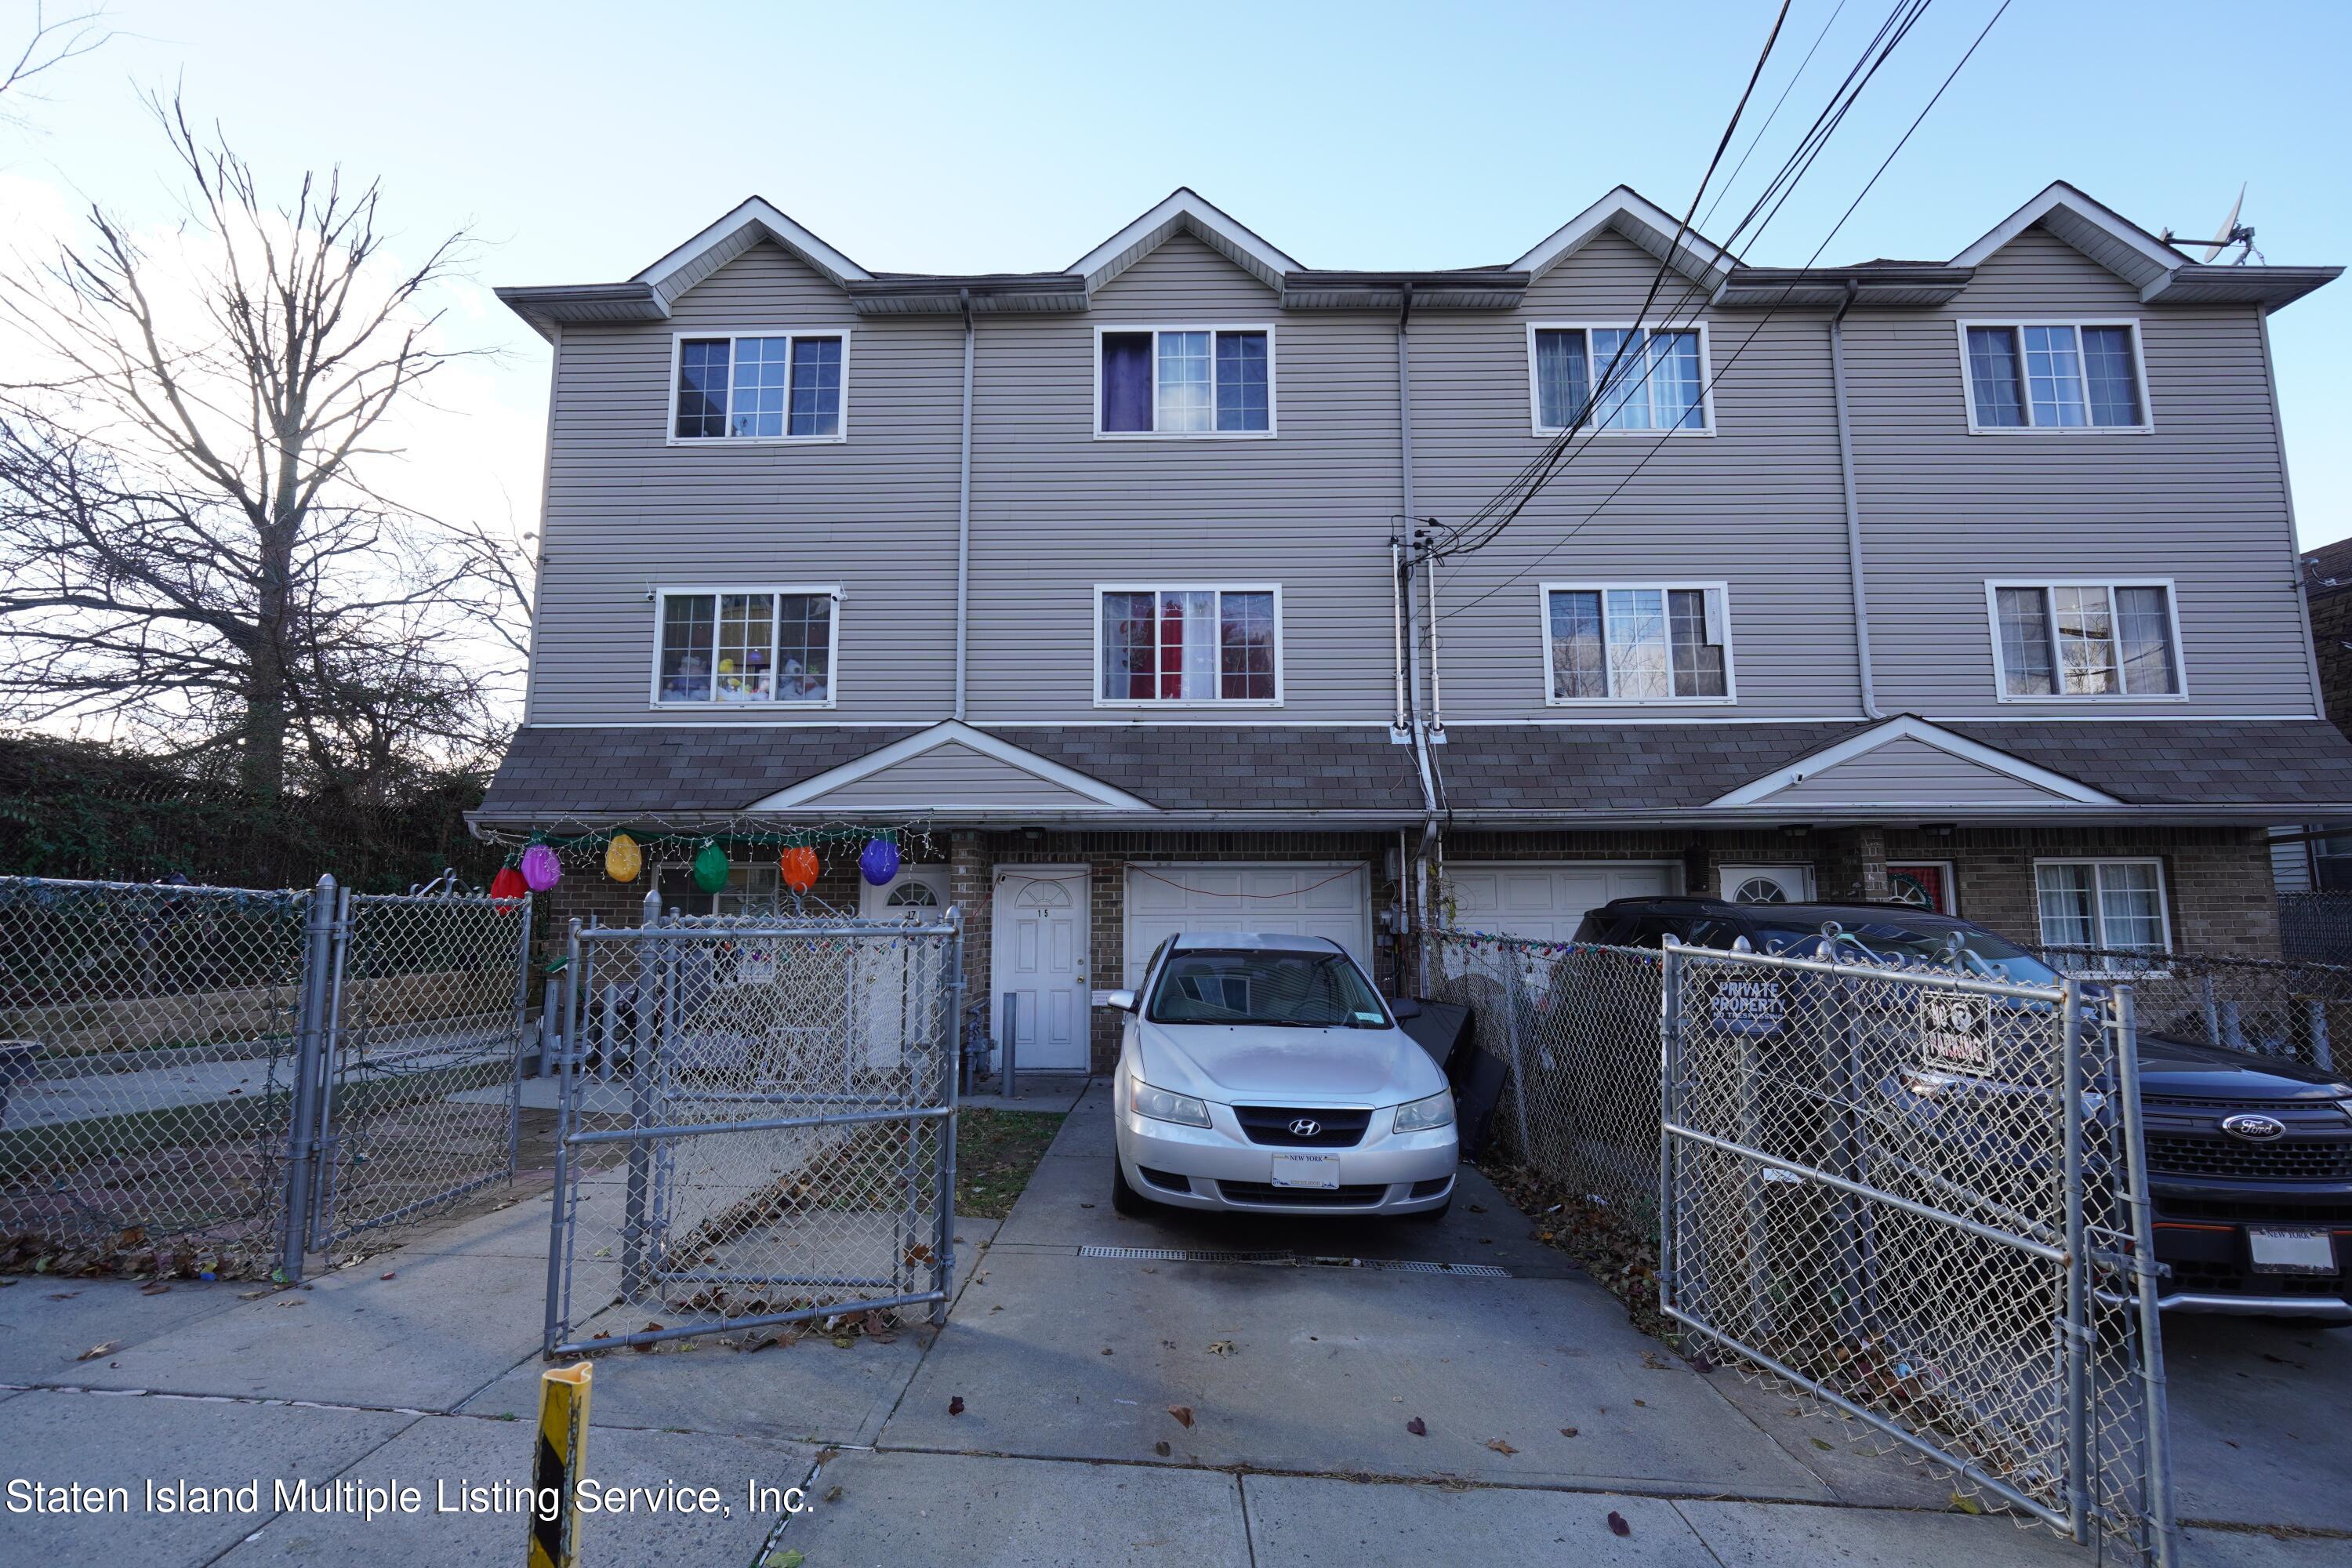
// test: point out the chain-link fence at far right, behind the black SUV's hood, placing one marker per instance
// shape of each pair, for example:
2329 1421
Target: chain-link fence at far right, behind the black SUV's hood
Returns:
2273 1007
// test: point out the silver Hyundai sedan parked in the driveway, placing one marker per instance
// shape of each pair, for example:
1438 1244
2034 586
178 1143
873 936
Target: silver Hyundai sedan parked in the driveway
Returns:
1267 1076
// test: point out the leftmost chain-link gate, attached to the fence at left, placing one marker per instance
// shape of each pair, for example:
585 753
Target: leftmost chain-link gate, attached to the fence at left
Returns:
425 1057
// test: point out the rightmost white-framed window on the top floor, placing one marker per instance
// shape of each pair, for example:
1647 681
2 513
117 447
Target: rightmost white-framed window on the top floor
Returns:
2054 377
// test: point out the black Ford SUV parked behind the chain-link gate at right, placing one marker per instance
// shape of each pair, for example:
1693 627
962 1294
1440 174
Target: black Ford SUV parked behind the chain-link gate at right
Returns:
2243 1151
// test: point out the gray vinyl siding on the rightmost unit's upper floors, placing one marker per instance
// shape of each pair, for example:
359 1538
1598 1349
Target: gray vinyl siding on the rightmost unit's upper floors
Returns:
2200 500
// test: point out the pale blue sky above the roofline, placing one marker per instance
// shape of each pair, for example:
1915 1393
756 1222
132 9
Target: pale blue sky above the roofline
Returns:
584 140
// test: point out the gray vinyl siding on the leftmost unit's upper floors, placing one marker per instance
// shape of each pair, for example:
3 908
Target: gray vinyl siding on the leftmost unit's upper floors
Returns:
629 514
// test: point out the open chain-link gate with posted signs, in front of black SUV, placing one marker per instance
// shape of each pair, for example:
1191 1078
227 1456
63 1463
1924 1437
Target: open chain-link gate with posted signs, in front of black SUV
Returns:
1923 1198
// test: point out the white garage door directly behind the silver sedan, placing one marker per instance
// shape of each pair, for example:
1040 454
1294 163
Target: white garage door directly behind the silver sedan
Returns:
1224 897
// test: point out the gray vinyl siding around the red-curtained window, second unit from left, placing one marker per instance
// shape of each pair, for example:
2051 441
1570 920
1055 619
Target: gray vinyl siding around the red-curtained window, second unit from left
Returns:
1057 511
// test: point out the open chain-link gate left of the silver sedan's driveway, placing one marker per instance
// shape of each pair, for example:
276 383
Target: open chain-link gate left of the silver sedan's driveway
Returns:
759 1125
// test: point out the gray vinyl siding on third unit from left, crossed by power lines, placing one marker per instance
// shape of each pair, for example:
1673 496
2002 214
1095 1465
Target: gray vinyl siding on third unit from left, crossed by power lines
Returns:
1758 504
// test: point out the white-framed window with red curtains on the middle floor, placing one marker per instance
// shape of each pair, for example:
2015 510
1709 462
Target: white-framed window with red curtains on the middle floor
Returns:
1182 645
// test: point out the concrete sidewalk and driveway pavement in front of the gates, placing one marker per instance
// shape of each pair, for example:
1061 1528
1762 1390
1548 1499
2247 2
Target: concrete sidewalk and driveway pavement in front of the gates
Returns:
1299 1383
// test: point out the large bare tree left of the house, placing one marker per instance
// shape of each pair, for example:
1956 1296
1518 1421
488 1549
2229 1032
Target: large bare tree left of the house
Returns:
189 525
